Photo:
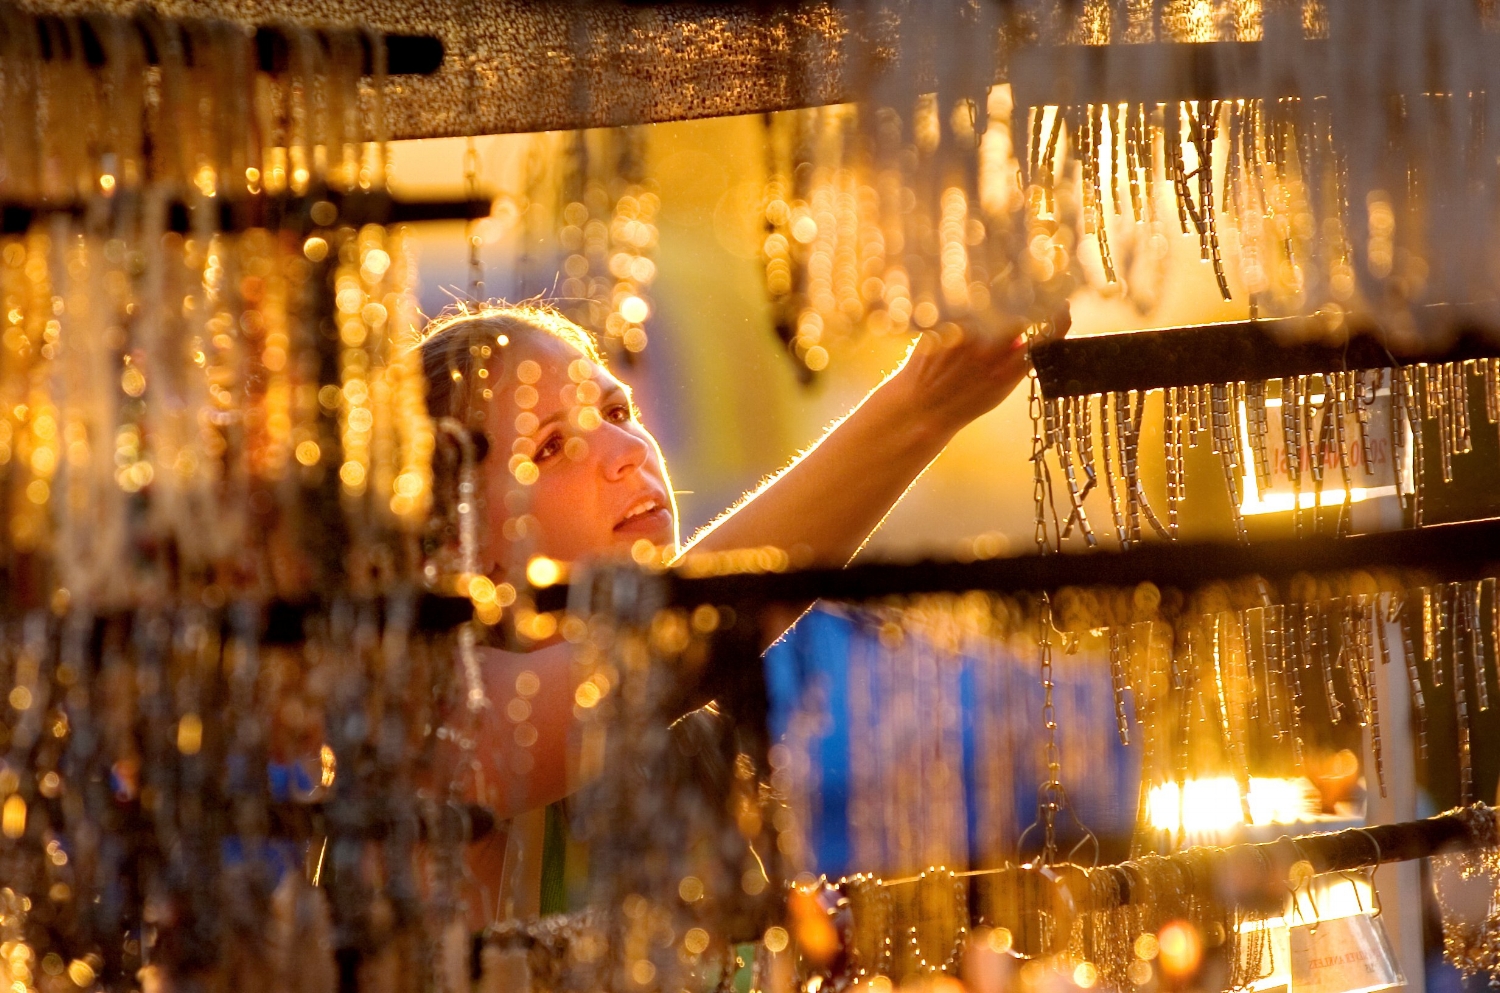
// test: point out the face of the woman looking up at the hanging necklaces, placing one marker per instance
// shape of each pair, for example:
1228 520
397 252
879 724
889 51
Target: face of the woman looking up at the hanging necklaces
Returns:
572 473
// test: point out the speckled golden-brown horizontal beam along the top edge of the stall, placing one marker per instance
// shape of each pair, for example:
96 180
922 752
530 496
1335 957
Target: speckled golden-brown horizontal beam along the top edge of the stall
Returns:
500 67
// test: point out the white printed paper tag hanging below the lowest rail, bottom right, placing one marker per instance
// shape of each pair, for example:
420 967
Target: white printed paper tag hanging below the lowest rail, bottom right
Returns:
1346 955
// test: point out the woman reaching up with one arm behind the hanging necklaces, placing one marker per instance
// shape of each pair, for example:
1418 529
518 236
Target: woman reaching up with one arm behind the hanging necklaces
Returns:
572 473
